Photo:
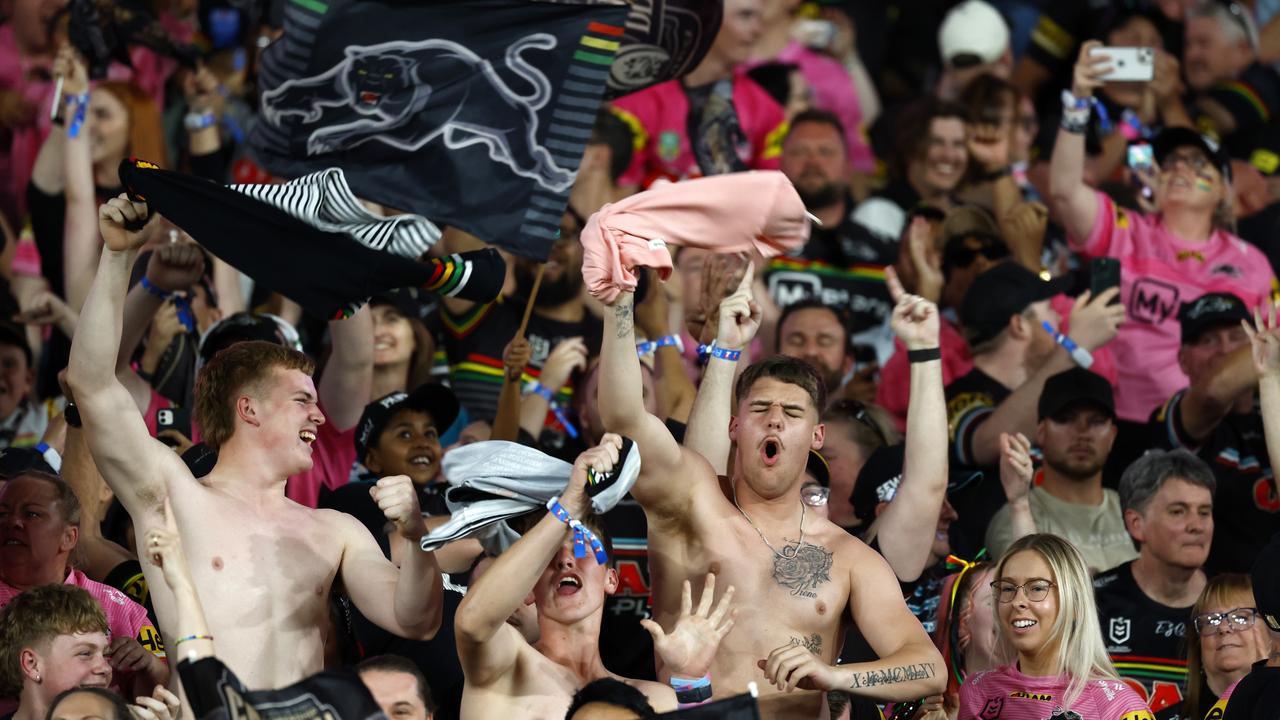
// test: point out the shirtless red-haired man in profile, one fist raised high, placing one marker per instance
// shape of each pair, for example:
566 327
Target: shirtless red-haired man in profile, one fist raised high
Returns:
263 564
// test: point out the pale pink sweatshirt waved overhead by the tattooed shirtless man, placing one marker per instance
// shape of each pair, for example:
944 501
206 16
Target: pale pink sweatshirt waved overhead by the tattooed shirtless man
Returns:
733 213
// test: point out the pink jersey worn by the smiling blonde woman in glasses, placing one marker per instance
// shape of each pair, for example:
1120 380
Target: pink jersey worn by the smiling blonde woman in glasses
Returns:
1005 694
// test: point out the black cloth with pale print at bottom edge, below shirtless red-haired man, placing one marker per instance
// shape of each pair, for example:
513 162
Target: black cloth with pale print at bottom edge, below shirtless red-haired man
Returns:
217 694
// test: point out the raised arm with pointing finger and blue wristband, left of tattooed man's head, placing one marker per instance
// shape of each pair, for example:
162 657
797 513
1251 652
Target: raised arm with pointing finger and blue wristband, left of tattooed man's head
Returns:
738 322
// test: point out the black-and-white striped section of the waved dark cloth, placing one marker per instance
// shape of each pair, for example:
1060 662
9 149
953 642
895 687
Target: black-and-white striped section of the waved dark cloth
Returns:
326 202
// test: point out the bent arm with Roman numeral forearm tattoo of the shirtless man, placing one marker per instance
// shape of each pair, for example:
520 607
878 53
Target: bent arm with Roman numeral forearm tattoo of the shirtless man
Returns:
909 667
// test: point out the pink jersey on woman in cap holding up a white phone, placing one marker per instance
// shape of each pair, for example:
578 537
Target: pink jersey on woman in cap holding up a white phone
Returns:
1159 274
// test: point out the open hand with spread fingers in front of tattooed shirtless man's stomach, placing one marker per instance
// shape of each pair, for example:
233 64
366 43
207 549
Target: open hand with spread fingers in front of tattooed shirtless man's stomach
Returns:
692 646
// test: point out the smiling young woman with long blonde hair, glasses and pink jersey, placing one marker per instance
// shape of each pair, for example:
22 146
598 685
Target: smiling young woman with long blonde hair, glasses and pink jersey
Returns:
1048 644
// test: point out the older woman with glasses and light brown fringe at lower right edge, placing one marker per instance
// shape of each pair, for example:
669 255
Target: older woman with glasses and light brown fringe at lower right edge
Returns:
1229 644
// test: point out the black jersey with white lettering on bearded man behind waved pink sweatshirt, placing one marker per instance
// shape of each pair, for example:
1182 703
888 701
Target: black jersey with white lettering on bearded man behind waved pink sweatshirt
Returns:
842 267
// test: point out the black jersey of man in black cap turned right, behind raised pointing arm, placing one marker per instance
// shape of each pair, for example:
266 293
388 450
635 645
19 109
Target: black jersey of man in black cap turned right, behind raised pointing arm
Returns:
971 402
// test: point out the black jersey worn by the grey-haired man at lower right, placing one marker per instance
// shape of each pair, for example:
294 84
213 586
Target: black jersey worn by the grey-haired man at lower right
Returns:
1148 641
